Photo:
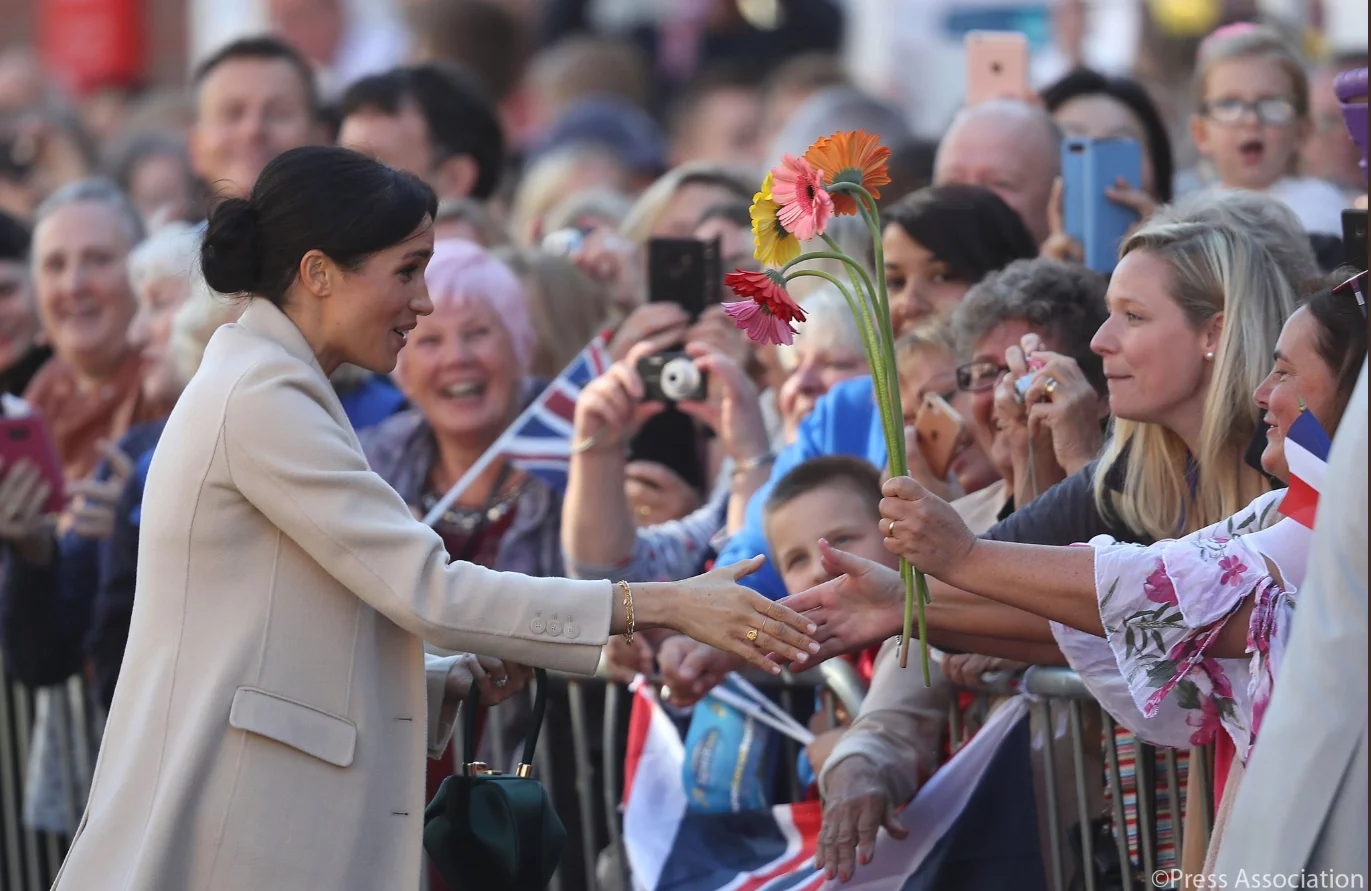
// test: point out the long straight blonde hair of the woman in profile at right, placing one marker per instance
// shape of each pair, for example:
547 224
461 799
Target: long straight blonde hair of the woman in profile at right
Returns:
1217 249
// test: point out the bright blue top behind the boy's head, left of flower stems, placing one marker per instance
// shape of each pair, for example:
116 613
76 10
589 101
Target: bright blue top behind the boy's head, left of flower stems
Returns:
844 423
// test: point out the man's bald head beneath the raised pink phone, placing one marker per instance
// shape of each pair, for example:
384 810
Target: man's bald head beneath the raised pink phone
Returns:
1011 149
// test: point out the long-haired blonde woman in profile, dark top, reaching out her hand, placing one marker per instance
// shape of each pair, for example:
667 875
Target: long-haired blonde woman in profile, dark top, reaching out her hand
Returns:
1195 310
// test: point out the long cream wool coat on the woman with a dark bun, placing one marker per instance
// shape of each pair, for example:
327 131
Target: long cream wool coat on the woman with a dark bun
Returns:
271 724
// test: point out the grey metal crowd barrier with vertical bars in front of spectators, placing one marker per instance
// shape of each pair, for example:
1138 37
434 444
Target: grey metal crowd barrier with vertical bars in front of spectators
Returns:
29 859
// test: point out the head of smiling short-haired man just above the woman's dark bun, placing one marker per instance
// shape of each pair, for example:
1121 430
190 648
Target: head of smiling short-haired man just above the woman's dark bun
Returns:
254 99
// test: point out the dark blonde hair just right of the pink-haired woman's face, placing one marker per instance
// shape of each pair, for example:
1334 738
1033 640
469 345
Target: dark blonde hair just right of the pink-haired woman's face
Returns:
566 306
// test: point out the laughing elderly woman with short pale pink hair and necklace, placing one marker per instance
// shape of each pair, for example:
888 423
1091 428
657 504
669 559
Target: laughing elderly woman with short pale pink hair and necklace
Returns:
464 374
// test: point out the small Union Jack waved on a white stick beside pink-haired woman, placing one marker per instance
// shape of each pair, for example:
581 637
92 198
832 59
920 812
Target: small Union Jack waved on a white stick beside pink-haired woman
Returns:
541 439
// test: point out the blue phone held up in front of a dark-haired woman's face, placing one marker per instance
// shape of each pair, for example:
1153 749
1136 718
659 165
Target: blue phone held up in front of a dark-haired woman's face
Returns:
1088 169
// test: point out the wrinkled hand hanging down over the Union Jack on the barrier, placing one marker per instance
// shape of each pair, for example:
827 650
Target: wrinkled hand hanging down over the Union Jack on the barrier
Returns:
858 805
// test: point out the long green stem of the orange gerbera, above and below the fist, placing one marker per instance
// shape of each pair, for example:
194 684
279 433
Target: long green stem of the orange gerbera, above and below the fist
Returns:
888 385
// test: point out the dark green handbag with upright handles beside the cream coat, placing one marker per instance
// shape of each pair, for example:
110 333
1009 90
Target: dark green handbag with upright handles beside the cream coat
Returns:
487 831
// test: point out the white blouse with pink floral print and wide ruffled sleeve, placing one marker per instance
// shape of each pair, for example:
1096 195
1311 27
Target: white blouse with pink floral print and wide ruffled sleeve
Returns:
1163 607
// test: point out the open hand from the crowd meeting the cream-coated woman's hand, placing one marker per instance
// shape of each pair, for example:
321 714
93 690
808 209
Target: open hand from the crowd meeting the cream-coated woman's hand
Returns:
862 607
